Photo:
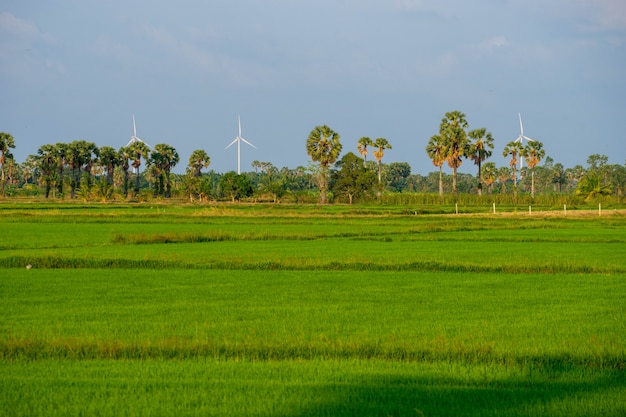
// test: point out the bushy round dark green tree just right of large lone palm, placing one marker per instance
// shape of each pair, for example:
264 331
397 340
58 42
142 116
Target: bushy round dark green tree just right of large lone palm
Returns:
351 178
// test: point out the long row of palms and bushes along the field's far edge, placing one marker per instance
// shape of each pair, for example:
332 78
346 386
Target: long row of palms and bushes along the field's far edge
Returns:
82 169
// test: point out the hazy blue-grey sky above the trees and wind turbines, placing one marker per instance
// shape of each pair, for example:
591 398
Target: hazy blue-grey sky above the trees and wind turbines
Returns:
80 69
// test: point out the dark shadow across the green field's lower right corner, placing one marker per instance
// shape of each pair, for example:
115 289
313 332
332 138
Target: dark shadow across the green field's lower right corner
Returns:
438 396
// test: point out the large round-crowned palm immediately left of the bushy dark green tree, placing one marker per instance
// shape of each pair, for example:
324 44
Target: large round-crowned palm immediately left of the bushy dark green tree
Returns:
323 146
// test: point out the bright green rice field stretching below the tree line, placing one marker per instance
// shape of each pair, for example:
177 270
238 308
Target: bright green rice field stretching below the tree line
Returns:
268 310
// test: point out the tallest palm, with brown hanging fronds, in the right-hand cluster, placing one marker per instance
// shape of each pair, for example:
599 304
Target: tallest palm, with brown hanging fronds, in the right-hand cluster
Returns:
454 137
